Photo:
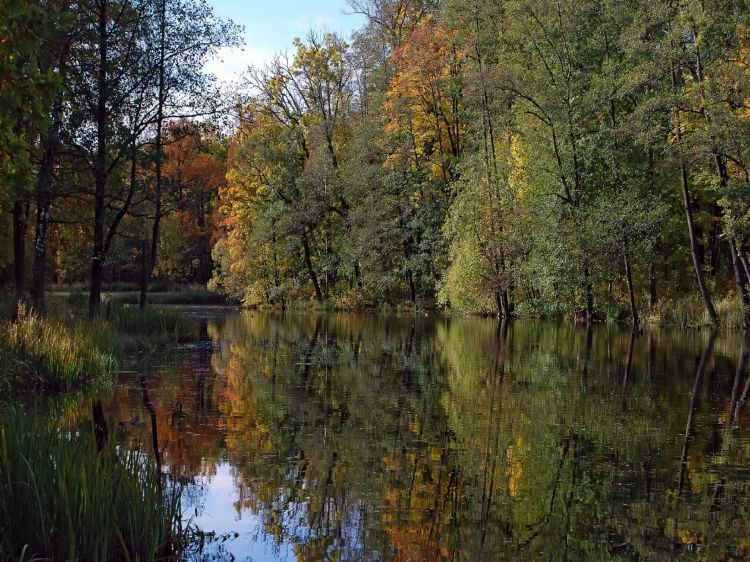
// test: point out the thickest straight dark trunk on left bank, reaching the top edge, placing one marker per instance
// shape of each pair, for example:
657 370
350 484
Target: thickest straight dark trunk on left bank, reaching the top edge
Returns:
100 166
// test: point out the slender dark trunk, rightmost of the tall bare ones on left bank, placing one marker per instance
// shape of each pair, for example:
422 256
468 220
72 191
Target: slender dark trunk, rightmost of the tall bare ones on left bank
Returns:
159 157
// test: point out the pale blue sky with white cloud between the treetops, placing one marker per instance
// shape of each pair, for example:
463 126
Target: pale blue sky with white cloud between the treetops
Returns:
271 25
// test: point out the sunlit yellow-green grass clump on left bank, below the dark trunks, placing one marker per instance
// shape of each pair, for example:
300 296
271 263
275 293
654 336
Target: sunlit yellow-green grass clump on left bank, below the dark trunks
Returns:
41 353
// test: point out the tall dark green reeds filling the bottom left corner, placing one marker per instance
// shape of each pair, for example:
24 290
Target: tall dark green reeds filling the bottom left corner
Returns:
61 499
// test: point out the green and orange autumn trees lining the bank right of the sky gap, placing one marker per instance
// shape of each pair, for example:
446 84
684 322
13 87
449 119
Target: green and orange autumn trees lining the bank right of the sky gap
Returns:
518 158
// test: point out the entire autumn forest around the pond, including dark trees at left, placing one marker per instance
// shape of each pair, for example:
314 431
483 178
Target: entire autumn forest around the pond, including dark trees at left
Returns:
502 157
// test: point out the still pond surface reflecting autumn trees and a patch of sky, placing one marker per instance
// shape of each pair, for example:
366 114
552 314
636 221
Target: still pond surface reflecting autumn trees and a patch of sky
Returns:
346 437
